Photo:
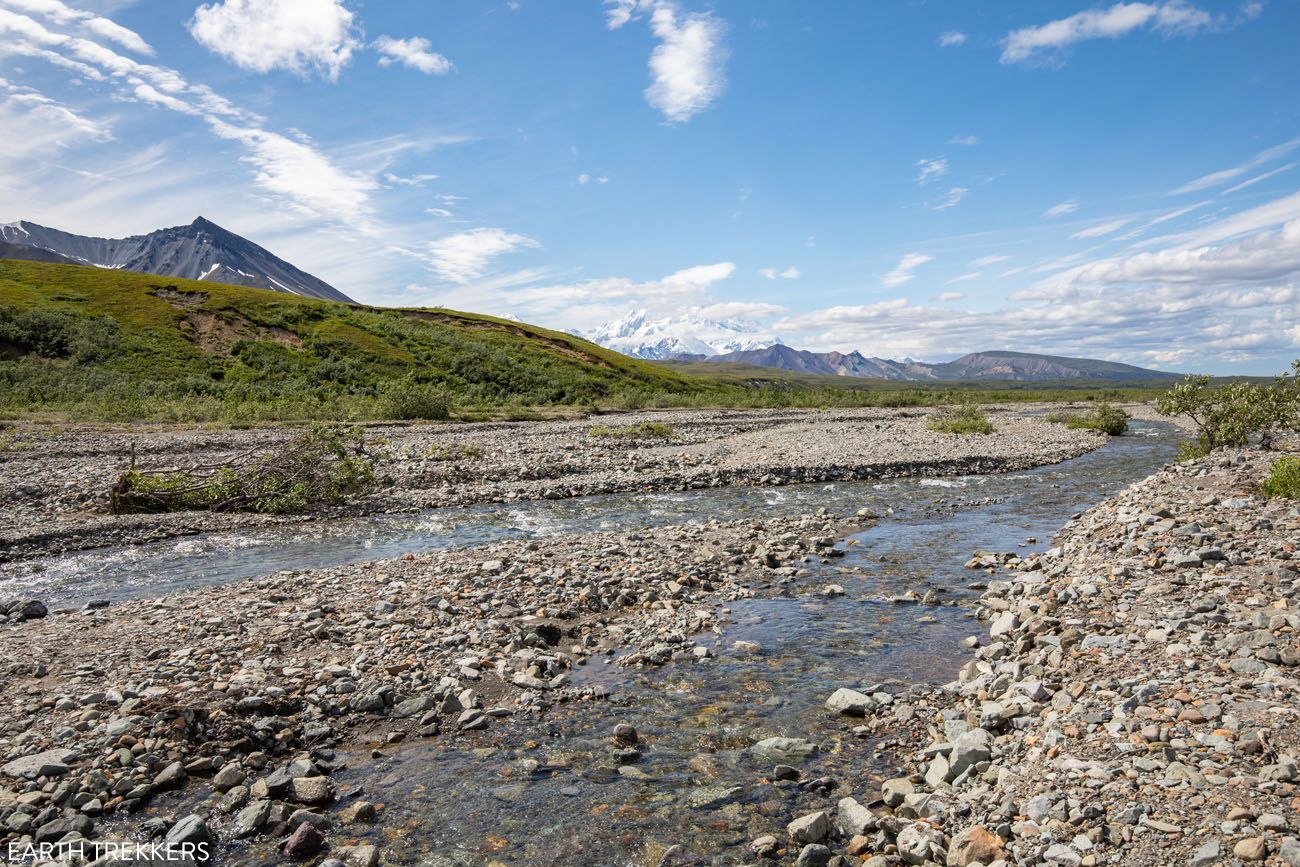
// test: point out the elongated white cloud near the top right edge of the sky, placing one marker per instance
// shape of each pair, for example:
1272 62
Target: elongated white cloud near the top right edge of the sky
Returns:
1173 18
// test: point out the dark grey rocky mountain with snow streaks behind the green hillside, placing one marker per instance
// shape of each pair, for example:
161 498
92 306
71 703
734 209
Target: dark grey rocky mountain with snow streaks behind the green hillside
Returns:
200 252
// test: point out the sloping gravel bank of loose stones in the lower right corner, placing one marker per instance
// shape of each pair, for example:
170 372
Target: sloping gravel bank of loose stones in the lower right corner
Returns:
1134 701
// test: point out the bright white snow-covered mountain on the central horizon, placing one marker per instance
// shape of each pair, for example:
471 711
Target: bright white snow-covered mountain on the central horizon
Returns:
639 336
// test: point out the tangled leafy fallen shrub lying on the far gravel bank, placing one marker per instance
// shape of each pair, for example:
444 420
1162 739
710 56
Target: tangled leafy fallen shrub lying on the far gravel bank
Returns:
320 467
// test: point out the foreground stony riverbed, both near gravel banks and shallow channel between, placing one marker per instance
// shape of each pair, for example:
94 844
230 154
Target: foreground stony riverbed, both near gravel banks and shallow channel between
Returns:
306 716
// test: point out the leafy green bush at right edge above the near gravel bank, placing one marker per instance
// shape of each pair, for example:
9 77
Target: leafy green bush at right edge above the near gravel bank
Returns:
1234 414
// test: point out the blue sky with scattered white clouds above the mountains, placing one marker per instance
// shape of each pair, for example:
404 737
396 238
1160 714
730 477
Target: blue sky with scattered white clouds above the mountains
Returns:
1116 181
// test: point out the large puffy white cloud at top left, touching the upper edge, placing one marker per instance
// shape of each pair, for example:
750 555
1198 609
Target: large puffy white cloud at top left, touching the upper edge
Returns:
262 36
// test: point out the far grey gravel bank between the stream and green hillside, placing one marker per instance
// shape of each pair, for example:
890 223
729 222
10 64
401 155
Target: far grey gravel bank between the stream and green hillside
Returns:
54 482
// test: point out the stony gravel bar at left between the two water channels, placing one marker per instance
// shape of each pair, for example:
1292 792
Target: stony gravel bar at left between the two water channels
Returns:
240 696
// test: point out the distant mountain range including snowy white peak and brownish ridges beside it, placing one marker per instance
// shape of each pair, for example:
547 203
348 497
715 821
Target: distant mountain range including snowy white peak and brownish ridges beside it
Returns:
739 343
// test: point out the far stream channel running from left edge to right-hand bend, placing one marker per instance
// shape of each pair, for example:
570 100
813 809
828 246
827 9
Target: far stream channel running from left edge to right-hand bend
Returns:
158 569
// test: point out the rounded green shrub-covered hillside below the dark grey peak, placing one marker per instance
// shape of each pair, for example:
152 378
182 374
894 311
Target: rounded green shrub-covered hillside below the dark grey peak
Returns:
119 345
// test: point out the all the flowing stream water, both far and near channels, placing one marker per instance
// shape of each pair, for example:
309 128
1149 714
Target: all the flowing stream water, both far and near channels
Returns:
551 792
